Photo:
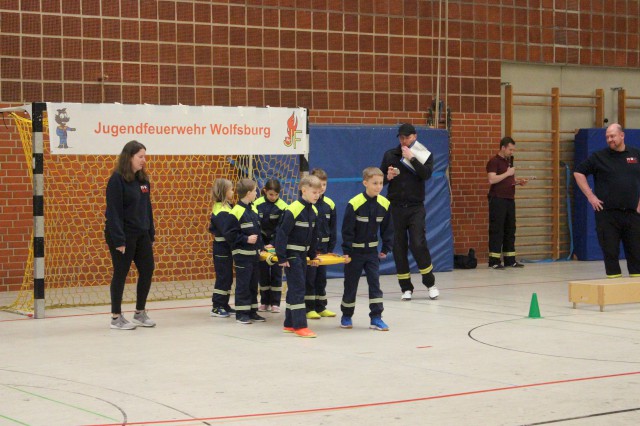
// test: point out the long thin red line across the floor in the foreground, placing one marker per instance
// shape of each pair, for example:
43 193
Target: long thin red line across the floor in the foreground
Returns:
373 404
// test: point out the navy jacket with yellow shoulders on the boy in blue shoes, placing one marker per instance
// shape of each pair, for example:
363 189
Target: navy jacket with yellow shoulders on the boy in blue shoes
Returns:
363 217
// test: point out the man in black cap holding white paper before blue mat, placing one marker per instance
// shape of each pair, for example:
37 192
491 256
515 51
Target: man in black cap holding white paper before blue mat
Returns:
406 175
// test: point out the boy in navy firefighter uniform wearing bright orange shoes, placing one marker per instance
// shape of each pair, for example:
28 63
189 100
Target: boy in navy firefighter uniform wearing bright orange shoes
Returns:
297 238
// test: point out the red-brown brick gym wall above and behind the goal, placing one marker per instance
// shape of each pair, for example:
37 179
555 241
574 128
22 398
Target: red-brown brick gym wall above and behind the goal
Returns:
348 61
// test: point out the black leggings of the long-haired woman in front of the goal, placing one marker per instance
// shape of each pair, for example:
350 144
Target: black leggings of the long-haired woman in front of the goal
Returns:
138 248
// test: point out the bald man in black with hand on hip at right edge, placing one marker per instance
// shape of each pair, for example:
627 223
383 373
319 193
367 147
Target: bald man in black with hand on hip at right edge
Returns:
615 200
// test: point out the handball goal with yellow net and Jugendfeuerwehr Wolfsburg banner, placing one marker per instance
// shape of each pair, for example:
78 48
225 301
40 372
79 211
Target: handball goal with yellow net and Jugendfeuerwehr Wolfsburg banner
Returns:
182 169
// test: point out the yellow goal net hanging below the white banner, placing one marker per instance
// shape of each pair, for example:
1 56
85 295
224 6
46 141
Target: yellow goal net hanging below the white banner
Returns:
77 262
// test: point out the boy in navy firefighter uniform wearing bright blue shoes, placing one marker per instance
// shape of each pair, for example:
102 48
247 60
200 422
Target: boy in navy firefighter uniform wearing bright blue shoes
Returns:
365 214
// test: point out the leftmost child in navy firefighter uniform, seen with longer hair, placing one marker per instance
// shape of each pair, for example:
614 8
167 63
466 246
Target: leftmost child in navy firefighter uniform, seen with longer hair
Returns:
222 195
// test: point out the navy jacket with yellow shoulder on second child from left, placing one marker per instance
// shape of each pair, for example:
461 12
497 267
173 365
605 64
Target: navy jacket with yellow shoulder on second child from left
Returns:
243 221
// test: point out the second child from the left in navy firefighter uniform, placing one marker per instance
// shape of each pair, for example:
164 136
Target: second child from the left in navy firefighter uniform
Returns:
242 232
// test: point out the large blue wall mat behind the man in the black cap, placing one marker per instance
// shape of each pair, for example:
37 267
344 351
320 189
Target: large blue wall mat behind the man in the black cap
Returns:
344 151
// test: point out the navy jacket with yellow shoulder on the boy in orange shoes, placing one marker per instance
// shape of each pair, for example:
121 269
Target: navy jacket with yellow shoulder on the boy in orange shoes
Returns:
297 232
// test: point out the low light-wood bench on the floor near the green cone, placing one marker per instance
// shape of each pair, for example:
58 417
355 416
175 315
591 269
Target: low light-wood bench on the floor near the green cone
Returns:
605 291
